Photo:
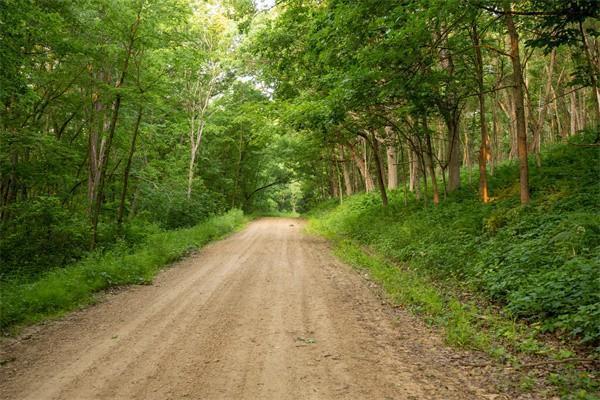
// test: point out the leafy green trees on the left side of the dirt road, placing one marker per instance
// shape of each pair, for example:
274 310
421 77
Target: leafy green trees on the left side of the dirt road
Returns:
95 120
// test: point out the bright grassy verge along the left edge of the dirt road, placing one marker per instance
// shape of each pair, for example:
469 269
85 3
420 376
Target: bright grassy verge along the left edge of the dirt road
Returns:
65 289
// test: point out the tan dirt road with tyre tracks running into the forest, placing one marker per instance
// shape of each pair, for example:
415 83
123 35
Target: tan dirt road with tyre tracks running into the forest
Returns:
266 314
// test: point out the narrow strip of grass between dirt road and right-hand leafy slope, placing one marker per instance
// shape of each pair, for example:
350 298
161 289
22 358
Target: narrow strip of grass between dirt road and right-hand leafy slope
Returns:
469 325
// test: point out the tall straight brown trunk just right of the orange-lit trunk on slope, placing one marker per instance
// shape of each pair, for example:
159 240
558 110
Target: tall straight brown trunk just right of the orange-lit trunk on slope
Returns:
519 105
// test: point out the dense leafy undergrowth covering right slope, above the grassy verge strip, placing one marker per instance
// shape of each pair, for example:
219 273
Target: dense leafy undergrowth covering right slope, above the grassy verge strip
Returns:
541 261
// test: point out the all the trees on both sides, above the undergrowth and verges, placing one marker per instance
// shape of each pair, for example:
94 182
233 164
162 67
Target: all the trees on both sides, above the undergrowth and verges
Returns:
119 117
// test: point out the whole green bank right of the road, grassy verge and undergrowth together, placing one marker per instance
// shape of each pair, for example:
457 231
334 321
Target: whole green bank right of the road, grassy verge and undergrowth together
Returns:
499 277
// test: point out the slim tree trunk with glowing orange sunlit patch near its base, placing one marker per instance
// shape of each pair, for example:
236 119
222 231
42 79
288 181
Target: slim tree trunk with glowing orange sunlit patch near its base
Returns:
484 152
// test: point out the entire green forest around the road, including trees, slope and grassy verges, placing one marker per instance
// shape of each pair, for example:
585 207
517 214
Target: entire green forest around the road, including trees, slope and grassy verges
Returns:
459 138
